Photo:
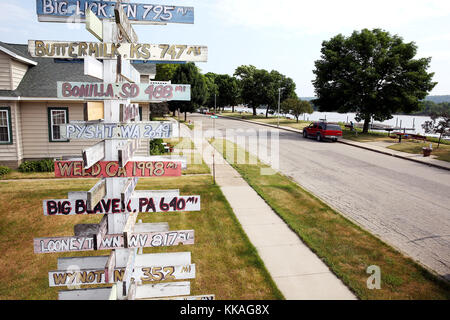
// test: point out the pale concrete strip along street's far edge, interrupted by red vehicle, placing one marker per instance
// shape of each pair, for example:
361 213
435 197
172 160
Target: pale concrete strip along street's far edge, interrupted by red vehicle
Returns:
418 158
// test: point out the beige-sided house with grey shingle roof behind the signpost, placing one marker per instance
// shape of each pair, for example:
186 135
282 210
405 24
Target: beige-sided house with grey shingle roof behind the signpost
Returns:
30 110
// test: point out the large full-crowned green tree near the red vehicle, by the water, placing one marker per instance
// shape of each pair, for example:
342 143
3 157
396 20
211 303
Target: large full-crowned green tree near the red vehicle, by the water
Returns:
372 74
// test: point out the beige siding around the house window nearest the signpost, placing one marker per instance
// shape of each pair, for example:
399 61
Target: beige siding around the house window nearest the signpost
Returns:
35 134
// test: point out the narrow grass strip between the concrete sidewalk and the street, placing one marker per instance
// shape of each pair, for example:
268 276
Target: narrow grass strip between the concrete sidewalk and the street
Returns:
347 249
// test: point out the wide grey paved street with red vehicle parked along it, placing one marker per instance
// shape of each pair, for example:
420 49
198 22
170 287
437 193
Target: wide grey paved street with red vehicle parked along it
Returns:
406 204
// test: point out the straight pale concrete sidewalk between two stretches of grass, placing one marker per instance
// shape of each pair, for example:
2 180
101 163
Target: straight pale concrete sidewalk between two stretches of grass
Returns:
296 270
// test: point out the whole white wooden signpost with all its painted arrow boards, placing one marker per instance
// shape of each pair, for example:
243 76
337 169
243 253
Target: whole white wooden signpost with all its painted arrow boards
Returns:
112 115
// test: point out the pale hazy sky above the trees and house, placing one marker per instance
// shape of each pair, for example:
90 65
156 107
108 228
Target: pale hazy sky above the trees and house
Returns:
282 35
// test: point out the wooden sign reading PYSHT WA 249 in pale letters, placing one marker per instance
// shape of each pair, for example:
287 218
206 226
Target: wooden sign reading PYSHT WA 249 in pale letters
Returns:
81 130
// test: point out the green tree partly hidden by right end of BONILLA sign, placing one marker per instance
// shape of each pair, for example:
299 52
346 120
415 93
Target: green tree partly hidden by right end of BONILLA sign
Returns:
189 74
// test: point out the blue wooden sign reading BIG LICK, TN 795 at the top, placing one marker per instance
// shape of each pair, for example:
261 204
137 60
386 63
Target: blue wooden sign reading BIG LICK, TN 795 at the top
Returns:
74 11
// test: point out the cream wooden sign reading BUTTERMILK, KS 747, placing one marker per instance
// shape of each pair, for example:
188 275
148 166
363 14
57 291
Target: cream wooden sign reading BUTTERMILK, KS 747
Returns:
132 51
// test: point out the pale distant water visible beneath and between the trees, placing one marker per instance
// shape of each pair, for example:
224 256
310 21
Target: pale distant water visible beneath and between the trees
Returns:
403 121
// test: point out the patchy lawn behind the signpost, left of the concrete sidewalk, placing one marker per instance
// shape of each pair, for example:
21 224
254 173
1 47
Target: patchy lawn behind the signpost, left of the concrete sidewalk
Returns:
227 263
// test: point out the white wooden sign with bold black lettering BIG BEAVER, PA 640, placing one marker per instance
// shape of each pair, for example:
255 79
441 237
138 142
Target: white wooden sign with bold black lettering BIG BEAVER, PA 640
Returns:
160 203
